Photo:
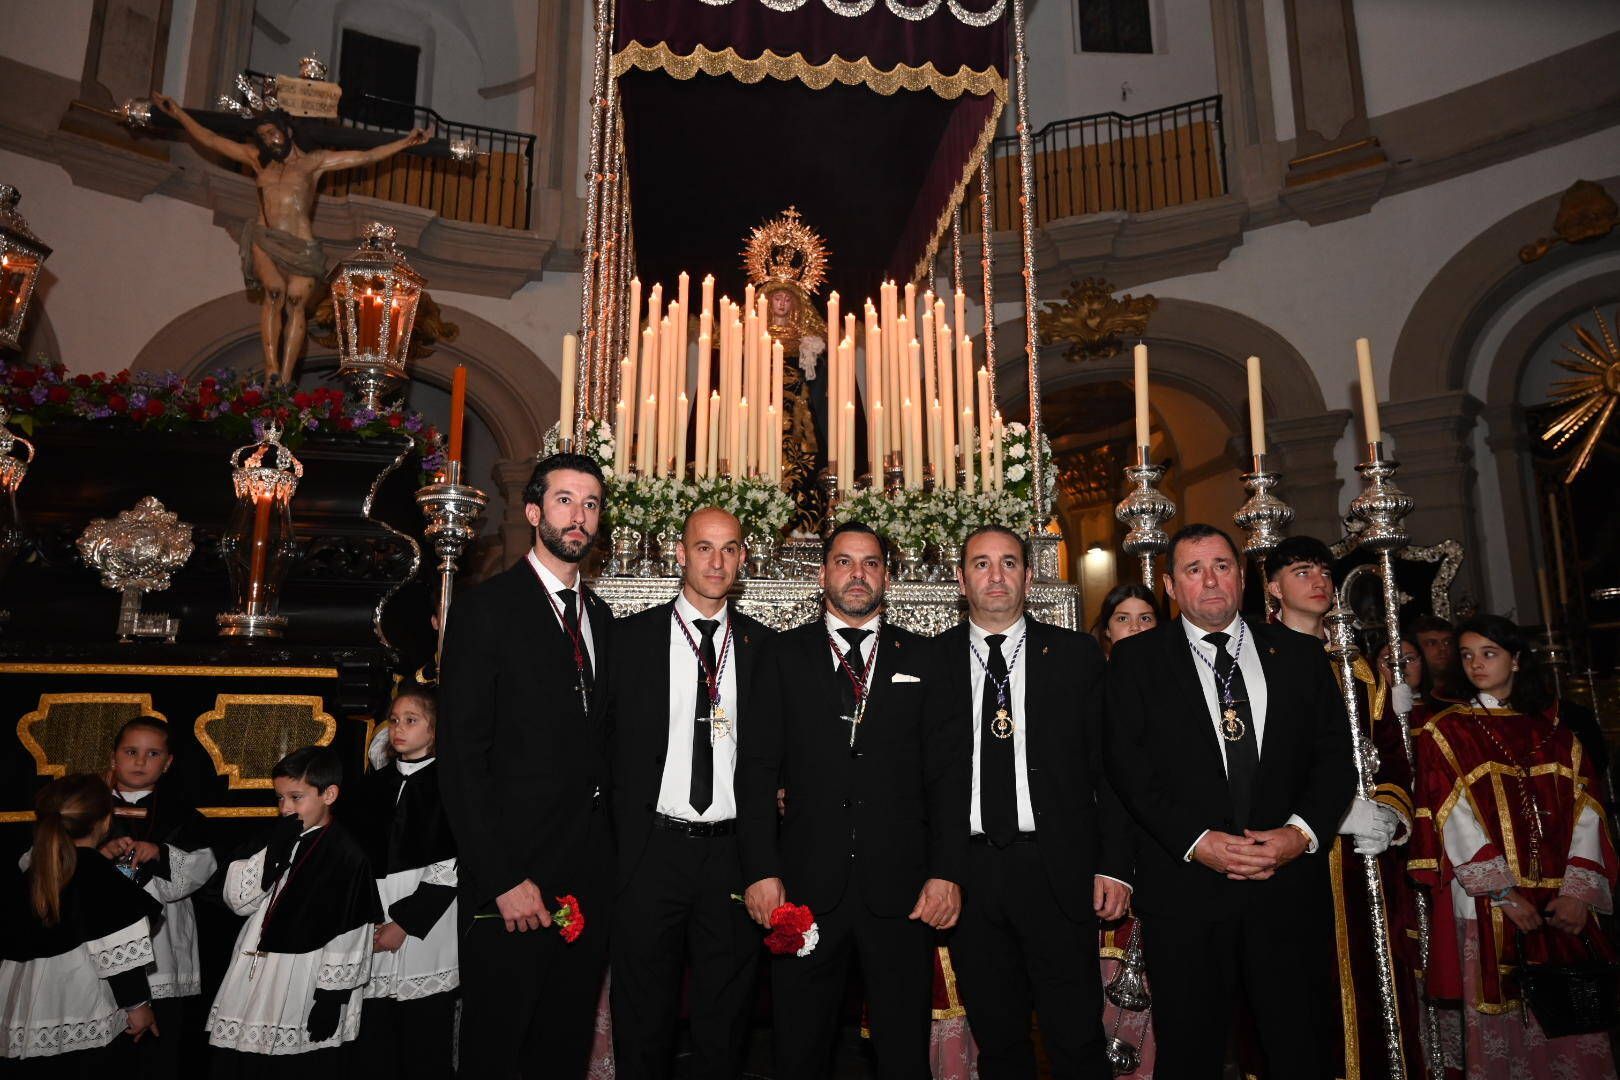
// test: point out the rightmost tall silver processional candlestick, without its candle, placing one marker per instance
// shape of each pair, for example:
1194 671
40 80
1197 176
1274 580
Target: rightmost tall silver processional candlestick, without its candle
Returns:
1383 509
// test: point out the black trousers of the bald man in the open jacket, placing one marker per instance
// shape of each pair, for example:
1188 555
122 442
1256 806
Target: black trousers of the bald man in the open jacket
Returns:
676 912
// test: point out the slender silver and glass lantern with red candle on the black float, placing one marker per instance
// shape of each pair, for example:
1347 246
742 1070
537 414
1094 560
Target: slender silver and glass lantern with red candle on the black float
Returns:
260 542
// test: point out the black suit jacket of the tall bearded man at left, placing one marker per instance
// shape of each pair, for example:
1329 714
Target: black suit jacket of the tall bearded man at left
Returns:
519 762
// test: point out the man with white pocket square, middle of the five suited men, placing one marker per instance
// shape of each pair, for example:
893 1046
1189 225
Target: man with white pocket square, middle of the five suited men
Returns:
851 718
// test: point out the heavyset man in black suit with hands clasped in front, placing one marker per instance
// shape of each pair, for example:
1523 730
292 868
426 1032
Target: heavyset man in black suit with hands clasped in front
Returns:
1230 747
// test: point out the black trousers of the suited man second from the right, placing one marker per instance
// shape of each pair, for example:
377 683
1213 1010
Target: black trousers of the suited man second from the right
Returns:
1017 953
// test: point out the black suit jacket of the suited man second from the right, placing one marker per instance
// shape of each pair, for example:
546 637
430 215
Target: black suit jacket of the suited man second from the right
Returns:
1081 827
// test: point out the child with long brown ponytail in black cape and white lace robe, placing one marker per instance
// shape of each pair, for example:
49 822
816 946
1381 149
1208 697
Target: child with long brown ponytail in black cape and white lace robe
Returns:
75 945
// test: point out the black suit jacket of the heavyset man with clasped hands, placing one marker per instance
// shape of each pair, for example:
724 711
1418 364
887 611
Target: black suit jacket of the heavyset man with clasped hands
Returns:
1166 763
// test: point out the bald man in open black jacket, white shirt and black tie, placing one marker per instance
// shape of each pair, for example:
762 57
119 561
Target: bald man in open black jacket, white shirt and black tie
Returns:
678 716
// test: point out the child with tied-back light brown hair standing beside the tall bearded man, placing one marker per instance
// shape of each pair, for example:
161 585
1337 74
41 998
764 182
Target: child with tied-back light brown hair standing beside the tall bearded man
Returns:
409 1021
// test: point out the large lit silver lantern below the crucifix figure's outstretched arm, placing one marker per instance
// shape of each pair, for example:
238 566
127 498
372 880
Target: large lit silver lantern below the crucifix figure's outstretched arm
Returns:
375 296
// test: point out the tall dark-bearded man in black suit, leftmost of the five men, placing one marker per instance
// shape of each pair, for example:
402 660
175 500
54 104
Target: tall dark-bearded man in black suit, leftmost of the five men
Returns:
524 759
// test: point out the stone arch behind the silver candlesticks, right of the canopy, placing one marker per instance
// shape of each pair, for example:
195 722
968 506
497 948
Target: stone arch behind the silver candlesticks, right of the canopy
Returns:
1203 351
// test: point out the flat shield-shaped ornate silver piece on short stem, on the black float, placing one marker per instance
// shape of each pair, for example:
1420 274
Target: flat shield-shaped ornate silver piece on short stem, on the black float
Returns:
137 553
